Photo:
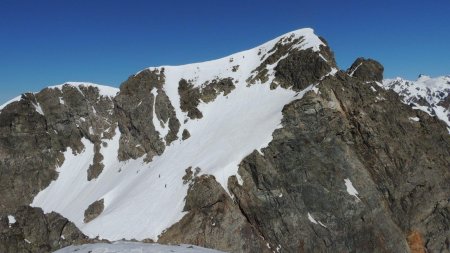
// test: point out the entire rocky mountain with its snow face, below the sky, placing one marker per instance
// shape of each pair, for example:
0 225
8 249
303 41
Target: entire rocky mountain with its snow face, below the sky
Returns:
269 150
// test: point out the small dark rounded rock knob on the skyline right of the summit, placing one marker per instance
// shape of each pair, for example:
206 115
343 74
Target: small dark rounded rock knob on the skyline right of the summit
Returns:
366 70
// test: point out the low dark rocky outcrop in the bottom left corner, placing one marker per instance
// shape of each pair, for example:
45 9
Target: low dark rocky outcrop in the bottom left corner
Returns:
35 231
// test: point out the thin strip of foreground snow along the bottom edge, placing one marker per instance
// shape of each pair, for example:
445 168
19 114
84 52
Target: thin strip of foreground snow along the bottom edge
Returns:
134 247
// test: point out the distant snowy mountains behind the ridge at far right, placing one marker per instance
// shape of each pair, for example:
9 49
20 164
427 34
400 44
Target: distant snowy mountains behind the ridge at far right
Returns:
426 94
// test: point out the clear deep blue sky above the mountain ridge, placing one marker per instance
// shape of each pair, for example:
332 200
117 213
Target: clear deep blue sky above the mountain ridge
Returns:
49 42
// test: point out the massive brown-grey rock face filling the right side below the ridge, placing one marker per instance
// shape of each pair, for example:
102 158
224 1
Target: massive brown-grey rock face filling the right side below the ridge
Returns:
399 167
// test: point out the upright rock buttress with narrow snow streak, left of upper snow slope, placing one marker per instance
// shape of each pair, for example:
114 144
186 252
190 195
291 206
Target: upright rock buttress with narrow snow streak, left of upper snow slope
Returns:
135 107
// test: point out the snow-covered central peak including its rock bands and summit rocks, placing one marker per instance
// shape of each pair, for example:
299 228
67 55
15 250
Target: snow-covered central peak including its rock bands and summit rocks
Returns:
206 116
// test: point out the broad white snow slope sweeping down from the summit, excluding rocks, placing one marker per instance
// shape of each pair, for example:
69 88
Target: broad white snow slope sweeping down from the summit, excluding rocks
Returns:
143 199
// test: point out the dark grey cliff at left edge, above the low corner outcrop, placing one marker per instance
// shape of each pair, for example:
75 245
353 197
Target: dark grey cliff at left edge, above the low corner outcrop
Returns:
37 129
